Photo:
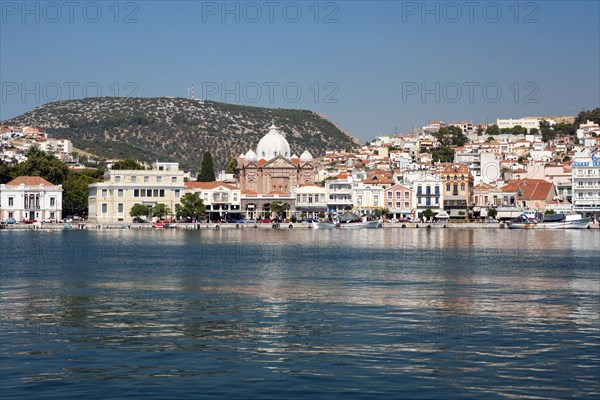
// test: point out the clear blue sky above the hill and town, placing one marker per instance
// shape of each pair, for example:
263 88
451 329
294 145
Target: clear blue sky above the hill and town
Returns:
371 67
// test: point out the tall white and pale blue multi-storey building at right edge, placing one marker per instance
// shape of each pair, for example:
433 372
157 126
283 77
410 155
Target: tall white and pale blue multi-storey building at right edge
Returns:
586 182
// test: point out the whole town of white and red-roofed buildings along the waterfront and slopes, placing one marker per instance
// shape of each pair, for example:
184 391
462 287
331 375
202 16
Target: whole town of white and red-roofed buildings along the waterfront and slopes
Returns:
457 171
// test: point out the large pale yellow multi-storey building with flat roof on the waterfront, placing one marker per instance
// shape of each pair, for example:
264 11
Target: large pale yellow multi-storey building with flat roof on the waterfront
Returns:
111 201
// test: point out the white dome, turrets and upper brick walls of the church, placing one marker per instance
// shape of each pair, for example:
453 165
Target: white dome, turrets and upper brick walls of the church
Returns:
271 168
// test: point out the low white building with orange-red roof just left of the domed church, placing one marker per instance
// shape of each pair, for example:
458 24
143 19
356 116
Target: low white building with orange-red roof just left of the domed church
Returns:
222 200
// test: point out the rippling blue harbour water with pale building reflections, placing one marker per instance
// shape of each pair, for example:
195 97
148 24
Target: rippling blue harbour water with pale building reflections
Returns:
434 313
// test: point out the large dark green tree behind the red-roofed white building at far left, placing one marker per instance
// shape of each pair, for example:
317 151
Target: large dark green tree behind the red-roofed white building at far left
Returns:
42 164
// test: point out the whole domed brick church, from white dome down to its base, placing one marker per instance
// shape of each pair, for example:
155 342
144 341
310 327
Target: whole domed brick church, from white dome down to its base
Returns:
270 173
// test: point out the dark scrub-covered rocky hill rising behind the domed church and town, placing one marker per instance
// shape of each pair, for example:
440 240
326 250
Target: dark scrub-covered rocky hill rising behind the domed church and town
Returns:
178 129
